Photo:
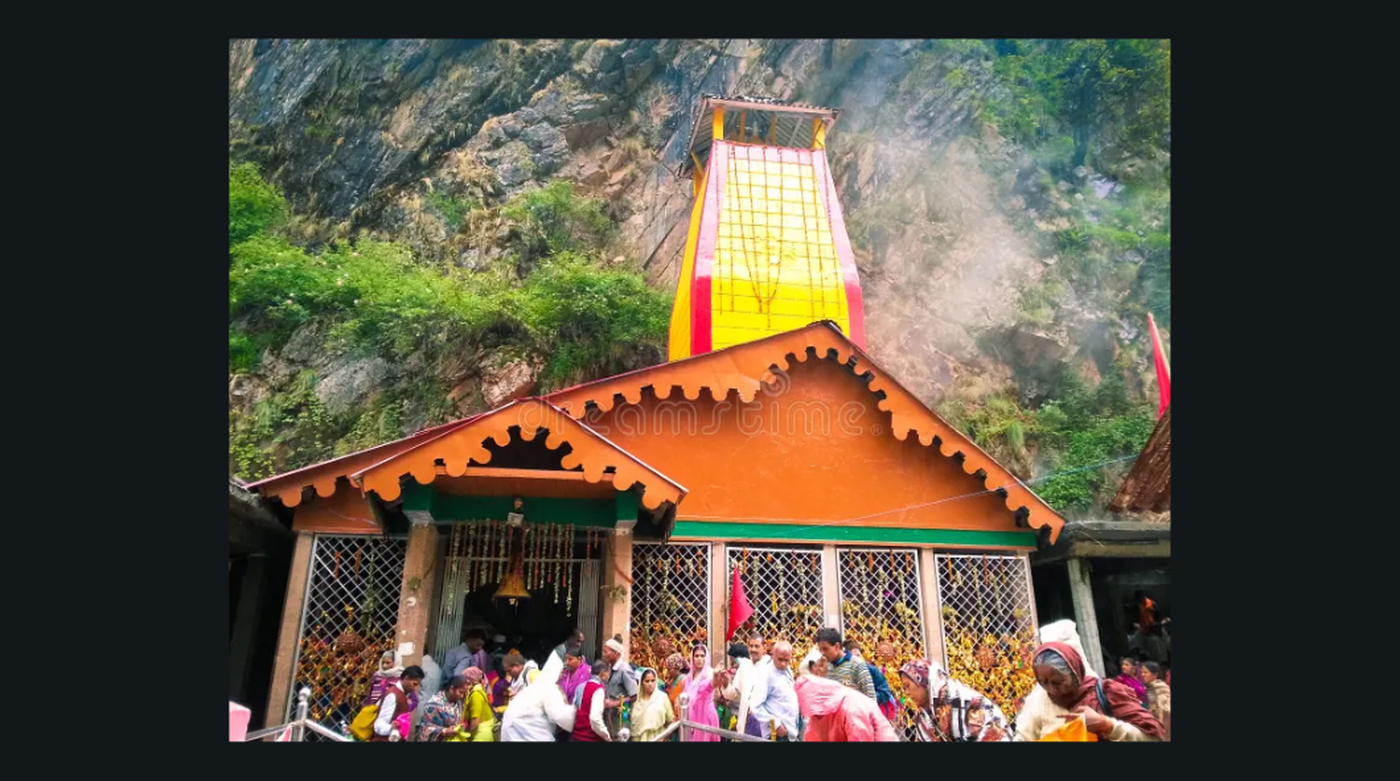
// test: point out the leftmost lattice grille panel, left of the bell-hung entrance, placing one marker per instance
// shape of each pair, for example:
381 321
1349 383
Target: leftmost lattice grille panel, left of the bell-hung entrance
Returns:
348 621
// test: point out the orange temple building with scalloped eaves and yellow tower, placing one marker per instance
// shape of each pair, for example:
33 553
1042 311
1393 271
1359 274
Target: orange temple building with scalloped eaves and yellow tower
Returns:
771 444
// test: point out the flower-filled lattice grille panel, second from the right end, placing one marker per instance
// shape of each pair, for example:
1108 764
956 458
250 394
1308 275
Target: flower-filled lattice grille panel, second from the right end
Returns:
881 605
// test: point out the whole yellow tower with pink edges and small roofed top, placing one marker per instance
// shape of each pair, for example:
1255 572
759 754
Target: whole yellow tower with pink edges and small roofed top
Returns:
768 250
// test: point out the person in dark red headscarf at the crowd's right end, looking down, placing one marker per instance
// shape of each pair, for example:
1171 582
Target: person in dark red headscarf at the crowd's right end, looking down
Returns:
1109 709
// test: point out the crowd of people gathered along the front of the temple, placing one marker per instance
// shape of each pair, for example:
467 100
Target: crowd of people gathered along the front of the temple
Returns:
832 695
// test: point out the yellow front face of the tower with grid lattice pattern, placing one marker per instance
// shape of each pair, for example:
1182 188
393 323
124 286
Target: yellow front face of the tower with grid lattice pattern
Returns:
775 262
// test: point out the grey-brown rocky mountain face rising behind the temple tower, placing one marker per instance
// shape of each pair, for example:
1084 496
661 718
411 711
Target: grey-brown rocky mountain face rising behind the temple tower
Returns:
1011 227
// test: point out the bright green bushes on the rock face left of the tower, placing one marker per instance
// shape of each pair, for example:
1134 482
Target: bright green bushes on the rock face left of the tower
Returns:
583 318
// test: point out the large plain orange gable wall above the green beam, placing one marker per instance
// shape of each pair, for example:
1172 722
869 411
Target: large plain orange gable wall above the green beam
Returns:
775 463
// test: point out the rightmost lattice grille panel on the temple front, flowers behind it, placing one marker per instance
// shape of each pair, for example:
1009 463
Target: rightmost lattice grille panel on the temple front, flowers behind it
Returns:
989 625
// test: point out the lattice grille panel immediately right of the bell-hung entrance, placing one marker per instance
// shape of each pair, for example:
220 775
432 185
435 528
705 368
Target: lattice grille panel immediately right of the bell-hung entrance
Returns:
670 601
